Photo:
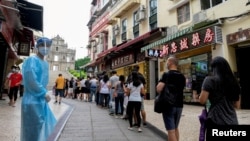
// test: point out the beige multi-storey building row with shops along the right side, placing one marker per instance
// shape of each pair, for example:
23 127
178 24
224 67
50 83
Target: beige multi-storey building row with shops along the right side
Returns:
145 32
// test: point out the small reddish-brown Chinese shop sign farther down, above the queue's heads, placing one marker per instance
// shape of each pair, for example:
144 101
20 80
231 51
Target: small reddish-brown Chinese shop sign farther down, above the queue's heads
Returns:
122 60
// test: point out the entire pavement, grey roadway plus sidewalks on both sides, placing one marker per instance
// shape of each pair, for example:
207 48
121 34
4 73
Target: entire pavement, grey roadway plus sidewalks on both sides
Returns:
75 124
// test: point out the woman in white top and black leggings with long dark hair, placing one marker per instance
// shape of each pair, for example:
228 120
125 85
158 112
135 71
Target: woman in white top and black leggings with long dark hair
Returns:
134 89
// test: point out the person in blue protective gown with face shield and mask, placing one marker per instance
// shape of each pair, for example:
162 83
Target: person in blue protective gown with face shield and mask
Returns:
37 119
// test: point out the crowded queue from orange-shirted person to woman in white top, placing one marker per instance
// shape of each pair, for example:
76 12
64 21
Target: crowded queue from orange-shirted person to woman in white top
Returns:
108 93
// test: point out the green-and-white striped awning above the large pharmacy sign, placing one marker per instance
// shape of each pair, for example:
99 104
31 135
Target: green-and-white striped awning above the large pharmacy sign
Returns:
167 38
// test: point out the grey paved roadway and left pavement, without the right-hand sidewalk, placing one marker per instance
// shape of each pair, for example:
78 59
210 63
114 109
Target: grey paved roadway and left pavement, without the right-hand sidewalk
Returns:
77 121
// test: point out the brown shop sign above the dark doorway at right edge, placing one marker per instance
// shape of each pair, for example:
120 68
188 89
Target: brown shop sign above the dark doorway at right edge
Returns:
238 37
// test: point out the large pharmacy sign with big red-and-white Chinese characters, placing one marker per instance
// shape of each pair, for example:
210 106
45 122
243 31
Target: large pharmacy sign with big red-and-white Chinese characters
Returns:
197 39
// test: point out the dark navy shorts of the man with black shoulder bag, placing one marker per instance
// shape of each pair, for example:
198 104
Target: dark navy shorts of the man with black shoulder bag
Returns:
171 117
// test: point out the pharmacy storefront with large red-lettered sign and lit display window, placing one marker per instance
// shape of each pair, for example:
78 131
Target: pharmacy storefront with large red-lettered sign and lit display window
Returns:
194 51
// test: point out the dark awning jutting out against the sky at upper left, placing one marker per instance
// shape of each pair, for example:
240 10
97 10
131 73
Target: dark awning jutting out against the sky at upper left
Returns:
31 14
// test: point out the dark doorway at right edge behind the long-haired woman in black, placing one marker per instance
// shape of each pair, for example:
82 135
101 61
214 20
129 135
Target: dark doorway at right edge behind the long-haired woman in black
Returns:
243 75
